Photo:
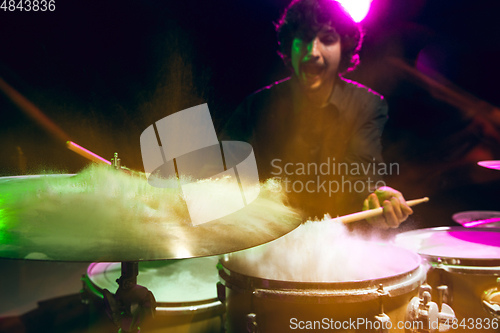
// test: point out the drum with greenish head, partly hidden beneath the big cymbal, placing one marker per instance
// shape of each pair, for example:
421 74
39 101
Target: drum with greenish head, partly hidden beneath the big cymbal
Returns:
185 292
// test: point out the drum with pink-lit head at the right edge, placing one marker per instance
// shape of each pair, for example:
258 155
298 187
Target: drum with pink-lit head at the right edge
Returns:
465 265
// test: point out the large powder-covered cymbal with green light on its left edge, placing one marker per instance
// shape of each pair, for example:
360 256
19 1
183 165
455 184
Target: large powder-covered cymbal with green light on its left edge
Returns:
64 222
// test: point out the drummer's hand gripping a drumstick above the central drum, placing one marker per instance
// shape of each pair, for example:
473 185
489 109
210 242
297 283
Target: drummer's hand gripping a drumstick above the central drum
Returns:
395 208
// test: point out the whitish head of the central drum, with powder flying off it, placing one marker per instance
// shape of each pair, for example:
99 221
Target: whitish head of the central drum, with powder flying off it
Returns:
359 261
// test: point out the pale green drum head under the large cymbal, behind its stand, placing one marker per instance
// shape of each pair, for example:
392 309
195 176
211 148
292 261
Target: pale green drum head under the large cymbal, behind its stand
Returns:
170 281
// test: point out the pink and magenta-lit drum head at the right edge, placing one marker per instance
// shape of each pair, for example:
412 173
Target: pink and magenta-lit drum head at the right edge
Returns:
455 245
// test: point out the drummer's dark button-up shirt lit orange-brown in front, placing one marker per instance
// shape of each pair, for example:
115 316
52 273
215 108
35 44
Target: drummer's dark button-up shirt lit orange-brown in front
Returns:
328 158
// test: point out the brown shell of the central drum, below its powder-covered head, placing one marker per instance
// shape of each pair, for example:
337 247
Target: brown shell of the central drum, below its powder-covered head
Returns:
275 303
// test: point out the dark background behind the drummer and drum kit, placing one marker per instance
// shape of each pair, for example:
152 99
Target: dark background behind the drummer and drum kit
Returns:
104 71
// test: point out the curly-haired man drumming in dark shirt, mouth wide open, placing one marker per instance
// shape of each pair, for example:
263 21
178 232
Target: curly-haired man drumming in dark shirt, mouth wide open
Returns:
316 131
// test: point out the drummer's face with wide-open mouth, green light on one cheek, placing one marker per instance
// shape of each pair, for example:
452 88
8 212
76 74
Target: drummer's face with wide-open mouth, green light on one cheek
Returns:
316 61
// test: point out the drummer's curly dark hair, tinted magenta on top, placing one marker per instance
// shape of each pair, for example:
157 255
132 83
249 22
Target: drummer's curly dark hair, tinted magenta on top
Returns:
304 18
